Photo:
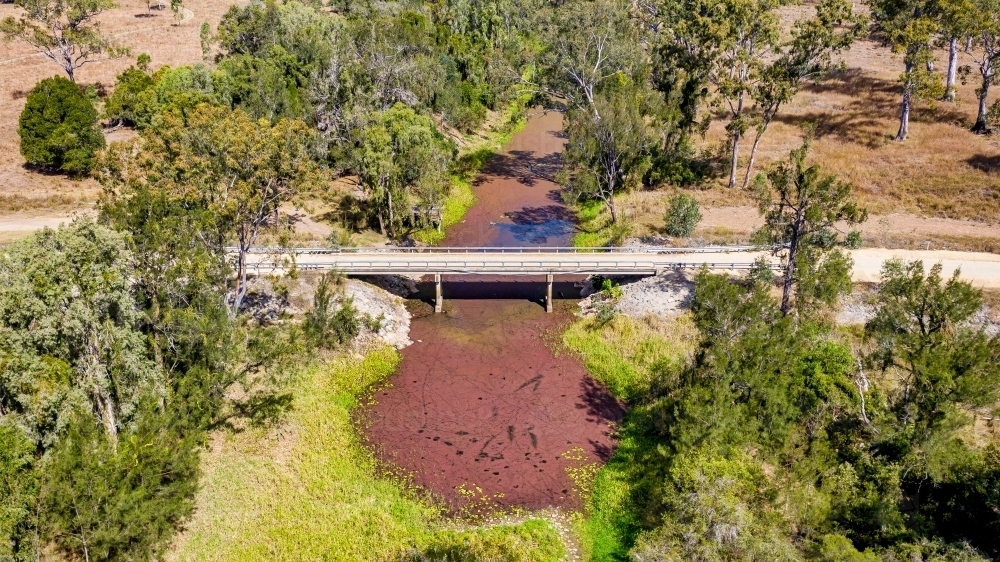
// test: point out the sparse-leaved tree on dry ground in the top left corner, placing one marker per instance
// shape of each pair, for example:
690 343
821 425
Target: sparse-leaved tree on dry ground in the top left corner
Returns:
65 31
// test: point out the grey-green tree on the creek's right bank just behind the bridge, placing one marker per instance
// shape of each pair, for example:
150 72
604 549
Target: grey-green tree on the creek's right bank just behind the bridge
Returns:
608 149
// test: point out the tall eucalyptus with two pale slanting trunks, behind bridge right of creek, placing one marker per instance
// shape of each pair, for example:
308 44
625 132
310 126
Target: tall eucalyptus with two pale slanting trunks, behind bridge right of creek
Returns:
737 48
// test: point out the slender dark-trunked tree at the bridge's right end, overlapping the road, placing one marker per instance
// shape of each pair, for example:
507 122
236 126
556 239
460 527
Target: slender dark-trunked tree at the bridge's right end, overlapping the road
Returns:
801 207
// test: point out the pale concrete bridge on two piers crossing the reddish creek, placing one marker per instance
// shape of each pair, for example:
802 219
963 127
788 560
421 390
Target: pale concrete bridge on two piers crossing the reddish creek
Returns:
439 261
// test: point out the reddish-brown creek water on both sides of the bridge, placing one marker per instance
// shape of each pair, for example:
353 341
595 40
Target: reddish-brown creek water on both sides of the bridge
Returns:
479 402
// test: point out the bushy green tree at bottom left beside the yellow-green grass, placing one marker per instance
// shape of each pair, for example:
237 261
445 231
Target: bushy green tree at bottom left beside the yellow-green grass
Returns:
102 500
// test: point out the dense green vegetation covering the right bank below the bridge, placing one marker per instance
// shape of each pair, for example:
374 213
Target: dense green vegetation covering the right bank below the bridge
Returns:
767 436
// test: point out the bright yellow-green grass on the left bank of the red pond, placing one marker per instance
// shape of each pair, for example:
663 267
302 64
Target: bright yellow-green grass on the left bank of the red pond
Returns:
309 490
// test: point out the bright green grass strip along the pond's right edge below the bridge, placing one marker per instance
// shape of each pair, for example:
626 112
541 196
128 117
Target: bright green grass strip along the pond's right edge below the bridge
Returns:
626 355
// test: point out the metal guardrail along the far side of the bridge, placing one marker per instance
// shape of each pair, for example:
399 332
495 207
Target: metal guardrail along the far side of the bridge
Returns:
506 250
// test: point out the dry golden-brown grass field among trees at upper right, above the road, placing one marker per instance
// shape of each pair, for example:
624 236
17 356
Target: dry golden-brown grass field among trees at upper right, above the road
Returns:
942 170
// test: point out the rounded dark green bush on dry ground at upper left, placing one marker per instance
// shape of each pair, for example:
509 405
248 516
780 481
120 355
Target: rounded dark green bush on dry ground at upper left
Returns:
58 127
